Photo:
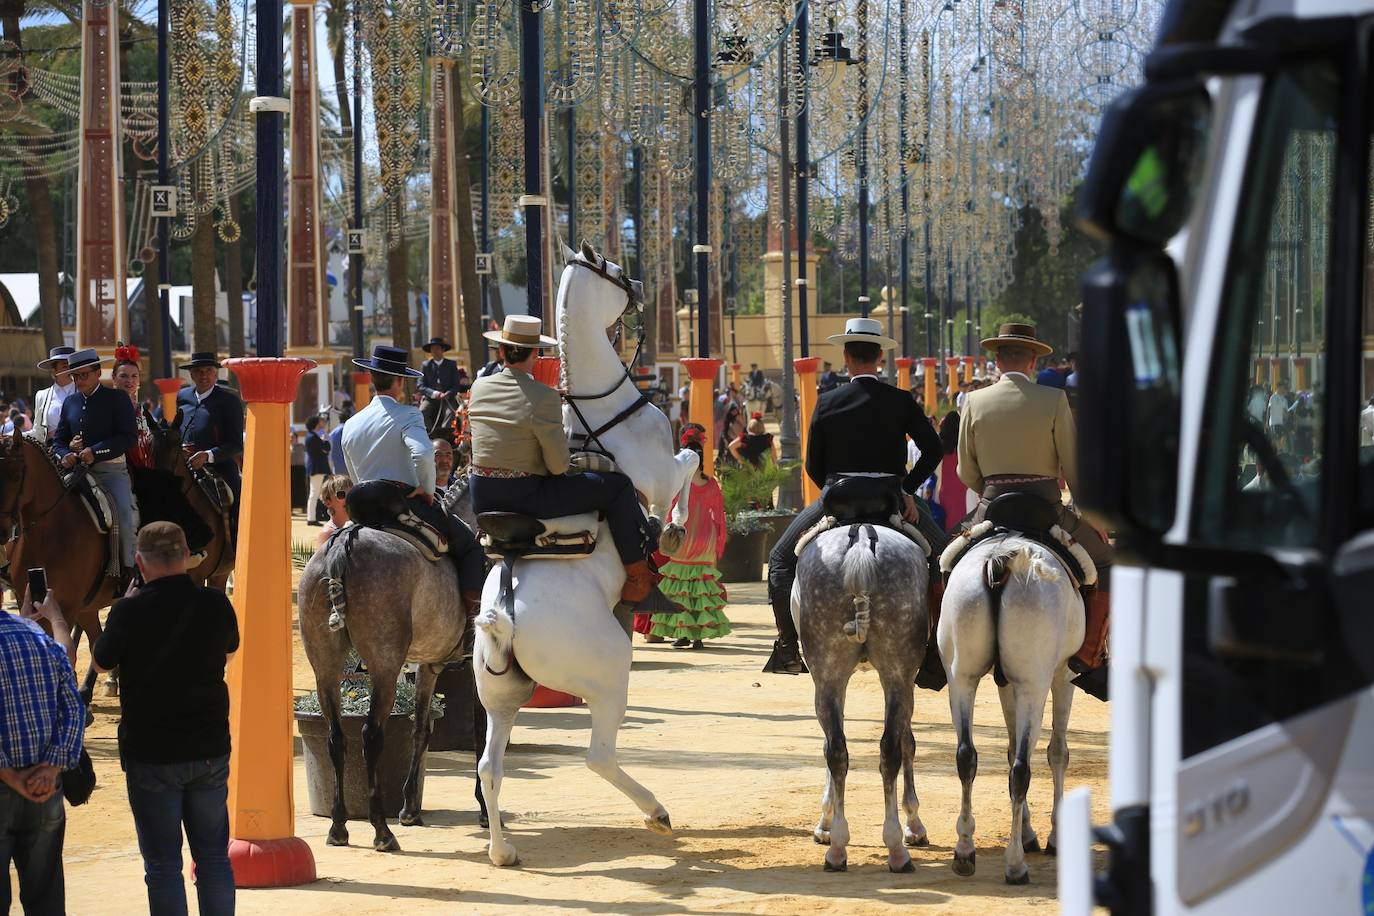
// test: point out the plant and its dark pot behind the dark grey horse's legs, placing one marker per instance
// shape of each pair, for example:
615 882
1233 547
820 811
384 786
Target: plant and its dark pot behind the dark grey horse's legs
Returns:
357 697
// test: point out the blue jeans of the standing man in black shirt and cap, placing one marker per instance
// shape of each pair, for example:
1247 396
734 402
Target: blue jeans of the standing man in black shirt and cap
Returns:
164 799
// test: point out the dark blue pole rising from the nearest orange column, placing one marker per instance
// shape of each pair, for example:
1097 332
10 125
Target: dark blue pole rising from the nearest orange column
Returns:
270 150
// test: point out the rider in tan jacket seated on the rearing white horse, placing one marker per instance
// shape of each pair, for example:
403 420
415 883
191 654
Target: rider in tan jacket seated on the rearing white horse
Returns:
521 455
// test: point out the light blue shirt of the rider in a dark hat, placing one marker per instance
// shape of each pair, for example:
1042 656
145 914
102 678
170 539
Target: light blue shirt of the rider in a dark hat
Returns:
387 442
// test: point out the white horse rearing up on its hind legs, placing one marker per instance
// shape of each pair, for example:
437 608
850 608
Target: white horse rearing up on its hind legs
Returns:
564 634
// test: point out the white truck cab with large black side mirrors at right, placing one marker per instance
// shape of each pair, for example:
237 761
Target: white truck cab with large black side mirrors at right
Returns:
1226 428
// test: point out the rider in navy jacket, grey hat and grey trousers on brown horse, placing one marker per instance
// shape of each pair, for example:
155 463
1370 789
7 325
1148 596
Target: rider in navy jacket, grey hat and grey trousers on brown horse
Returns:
97 429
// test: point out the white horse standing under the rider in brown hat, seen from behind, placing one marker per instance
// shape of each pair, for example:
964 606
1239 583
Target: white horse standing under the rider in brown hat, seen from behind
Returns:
1011 604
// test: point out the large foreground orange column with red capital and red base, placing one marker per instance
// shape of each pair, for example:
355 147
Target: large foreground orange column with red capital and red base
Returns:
263 845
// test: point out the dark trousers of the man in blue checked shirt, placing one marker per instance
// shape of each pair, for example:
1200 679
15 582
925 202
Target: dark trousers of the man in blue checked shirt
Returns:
32 837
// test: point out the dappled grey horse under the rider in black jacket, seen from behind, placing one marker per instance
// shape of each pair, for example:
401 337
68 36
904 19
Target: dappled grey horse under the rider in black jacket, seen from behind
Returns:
861 597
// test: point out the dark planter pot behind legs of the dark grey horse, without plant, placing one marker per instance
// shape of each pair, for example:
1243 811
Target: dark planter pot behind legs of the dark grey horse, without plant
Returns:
392 770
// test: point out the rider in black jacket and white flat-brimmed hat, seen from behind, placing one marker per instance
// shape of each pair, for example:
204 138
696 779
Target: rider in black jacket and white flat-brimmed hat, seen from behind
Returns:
861 428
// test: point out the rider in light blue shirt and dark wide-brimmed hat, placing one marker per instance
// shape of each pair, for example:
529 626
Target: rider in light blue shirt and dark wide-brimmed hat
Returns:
387 442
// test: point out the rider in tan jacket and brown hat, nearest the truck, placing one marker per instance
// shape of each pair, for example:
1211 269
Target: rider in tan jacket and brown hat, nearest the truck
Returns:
1017 436
